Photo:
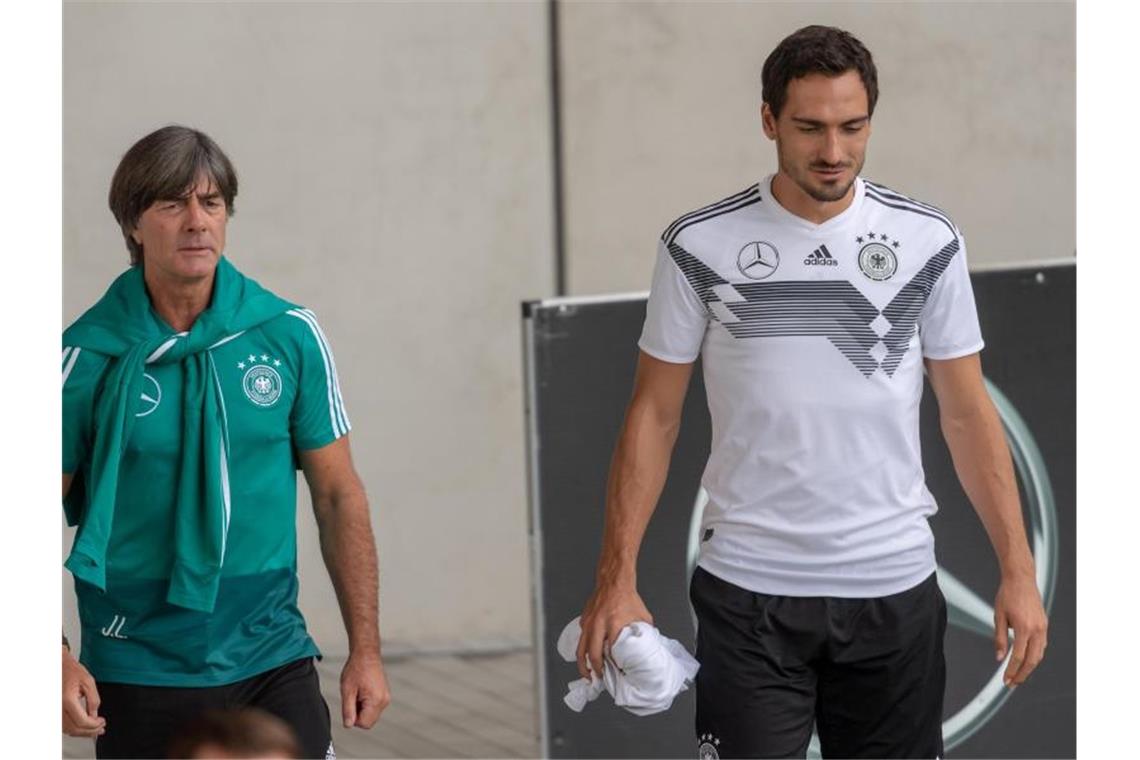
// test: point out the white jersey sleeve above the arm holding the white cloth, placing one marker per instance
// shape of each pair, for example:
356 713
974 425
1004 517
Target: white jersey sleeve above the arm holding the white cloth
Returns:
675 317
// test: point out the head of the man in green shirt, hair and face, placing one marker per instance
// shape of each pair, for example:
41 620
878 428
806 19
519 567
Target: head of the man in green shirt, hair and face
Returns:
173 194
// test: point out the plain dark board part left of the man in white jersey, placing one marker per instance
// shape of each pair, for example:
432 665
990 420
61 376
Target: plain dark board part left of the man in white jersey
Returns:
584 355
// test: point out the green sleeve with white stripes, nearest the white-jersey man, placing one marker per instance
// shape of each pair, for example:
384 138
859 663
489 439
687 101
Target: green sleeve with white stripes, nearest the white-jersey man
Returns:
319 416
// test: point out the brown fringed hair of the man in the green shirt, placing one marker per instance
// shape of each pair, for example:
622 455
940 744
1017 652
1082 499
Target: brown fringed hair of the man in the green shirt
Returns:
165 166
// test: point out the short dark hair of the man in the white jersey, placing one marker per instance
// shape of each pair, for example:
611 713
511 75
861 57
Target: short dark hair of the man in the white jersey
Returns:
817 51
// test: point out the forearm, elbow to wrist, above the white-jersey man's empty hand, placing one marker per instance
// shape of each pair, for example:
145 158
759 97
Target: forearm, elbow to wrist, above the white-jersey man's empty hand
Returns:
986 470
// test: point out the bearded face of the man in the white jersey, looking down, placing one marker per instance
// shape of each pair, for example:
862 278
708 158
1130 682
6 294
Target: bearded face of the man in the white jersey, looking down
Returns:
823 133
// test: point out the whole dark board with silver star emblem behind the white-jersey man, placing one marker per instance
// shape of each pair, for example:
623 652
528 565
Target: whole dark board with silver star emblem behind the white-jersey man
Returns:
582 355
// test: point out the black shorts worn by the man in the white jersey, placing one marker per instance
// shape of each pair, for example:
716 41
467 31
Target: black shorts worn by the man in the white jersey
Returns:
869 674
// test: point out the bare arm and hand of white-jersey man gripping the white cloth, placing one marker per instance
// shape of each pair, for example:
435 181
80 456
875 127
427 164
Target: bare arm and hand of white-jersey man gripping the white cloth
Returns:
638 475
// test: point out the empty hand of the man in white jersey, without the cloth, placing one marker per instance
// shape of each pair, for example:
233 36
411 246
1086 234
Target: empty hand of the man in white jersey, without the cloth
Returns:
1019 607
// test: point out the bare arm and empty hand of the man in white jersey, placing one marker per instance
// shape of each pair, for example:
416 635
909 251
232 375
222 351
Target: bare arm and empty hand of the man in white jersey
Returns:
982 461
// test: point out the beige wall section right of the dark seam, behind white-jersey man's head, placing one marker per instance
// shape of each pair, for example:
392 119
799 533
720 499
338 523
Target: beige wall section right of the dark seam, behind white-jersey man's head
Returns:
662 116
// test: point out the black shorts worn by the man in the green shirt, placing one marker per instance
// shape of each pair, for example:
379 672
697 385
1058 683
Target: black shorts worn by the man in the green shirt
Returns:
143 721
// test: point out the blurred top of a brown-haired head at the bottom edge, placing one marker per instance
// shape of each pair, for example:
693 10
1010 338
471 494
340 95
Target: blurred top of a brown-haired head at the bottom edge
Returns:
247 733
